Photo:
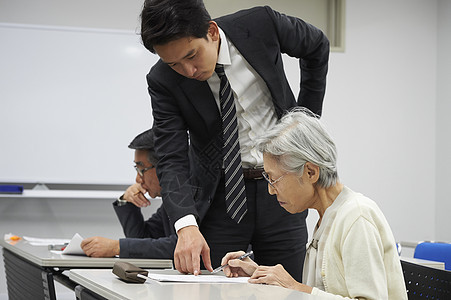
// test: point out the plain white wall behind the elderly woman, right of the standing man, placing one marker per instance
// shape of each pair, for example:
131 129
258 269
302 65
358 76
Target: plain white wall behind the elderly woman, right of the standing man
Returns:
381 109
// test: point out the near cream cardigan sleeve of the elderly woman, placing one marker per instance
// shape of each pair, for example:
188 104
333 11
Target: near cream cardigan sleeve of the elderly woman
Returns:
359 258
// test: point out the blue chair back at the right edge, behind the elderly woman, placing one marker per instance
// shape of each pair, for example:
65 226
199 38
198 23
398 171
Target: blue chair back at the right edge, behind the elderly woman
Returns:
434 251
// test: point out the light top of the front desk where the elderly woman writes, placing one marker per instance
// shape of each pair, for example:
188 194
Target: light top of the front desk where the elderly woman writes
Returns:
106 284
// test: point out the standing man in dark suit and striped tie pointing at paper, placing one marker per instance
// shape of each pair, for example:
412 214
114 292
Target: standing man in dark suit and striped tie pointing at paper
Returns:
218 86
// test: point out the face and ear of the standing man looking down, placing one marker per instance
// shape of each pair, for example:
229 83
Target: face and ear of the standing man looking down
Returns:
192 57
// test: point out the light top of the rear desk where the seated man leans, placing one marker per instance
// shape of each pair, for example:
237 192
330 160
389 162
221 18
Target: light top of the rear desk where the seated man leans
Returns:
40 255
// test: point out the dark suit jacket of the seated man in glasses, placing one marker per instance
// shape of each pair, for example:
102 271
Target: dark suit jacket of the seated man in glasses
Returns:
154 238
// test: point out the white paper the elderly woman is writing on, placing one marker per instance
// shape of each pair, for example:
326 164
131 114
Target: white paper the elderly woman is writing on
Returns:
199 278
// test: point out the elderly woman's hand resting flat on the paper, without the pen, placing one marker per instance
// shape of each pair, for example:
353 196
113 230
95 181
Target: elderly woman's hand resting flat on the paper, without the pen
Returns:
277 275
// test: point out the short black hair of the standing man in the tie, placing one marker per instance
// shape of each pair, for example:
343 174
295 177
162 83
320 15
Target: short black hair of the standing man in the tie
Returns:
163 21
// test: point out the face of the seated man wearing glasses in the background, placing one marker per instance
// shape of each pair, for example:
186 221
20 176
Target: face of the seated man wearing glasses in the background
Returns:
149 180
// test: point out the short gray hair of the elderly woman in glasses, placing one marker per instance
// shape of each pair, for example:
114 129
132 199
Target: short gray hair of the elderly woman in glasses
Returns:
299 137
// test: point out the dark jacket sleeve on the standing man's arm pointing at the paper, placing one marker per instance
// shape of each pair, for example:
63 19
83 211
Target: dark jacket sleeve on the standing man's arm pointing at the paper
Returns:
169 108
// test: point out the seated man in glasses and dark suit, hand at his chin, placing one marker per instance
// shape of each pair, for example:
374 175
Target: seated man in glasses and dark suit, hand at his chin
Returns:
154 238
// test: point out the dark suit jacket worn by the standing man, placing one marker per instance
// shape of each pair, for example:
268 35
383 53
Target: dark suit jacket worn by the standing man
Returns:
181 105
